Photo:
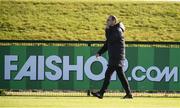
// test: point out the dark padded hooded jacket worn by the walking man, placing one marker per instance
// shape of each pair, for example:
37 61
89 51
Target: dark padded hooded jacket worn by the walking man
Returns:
115 45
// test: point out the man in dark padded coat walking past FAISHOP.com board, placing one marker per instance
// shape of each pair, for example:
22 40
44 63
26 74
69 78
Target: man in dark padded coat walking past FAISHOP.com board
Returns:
115 45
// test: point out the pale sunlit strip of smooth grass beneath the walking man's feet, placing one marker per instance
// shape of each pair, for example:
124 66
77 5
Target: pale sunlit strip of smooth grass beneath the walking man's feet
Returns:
86 102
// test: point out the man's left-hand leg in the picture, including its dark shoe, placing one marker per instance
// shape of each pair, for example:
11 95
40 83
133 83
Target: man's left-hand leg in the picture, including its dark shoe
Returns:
106 82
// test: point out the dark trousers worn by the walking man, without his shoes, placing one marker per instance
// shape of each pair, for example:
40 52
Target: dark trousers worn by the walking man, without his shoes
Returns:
120 75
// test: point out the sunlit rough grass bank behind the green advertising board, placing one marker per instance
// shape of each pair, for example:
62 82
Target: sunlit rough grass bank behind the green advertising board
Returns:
84 20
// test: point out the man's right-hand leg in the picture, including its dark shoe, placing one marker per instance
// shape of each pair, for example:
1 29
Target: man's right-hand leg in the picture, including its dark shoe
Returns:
124 82
